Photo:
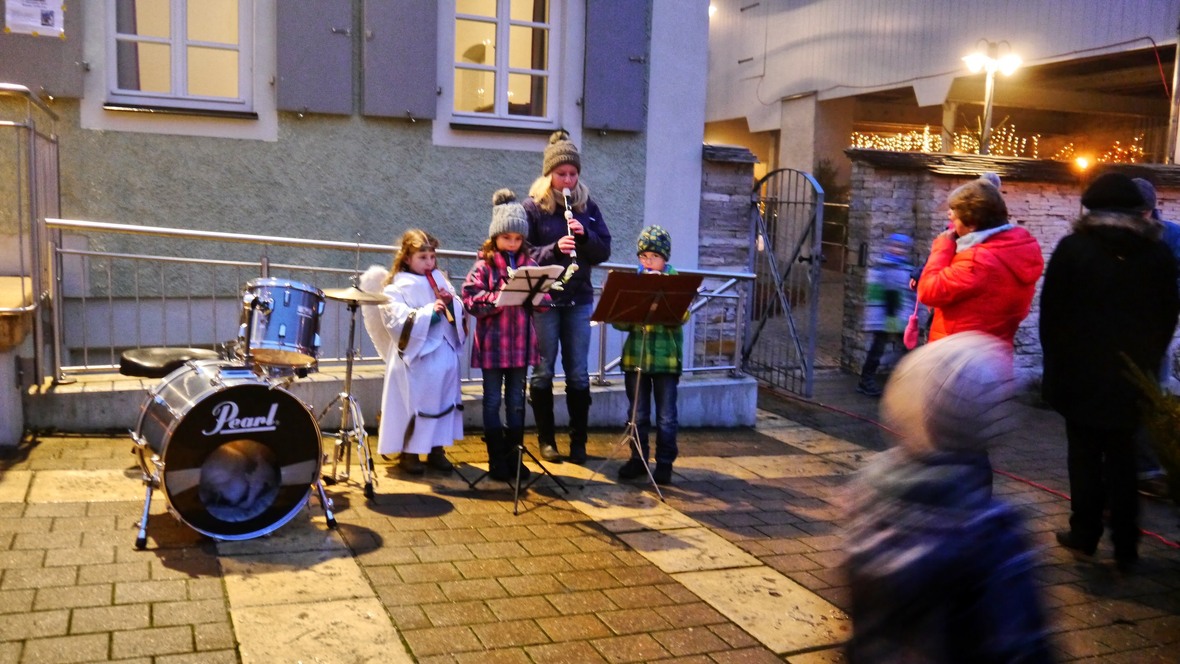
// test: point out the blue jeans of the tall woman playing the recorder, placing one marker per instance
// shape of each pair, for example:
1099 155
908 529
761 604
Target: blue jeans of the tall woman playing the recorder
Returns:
571 328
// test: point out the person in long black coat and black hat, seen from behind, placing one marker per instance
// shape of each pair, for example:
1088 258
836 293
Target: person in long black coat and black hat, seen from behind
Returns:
1110 297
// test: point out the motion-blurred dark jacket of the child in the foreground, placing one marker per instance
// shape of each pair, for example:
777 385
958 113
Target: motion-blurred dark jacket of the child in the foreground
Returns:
939 570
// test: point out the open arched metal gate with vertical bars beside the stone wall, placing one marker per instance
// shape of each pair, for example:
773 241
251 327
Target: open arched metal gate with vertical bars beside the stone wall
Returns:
786 221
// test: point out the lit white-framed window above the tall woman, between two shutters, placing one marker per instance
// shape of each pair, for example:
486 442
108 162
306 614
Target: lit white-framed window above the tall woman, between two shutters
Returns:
504 63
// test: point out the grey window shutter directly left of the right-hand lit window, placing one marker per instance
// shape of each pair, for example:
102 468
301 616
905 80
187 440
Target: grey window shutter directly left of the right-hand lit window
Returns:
401 49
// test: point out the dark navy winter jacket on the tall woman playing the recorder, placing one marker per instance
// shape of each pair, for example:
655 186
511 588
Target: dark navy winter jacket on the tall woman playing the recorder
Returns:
593 247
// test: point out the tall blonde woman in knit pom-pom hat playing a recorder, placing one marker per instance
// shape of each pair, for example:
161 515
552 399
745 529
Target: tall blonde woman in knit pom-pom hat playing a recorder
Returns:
566 228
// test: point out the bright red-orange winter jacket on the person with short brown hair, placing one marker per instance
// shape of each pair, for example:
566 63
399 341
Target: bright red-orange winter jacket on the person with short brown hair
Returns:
987 287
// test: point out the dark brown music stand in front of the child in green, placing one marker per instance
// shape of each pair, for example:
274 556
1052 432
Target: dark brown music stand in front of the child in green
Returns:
644 300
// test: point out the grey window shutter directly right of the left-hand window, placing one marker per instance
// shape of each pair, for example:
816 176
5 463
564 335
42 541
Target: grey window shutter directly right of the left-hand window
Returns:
316 56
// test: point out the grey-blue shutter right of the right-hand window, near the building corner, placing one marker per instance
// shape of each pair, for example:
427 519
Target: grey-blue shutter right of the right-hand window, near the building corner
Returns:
617 69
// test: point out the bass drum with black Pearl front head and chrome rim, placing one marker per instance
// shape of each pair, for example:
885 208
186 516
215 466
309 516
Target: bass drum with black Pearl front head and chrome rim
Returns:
235 456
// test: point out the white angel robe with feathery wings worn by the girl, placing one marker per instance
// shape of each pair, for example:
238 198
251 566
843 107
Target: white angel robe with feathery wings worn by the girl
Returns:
422 403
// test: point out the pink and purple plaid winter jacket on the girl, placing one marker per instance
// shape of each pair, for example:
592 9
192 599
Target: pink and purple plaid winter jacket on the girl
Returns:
504 337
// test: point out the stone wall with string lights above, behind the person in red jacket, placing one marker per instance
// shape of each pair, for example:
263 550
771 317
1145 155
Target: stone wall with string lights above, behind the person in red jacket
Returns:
897 193
